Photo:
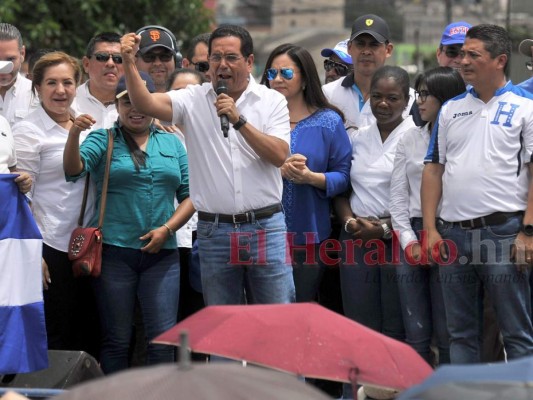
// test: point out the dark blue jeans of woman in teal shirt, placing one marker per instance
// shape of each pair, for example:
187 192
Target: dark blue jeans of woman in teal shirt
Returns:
153 278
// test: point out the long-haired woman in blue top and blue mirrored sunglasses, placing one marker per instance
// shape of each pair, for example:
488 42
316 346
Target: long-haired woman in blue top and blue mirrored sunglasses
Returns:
319 164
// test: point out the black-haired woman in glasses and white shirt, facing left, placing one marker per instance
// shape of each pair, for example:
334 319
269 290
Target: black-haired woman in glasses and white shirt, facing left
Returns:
418 283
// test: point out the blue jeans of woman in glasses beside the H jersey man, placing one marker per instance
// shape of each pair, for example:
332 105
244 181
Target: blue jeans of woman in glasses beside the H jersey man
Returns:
422 304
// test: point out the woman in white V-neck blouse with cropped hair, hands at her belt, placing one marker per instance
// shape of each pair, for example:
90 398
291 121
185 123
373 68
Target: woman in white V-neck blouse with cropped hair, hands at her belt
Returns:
368 274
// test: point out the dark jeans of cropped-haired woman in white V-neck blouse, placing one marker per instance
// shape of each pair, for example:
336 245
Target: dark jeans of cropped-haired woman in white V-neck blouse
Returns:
370 289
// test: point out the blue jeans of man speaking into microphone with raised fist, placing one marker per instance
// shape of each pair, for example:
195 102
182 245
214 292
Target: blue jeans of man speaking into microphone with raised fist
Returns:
255 251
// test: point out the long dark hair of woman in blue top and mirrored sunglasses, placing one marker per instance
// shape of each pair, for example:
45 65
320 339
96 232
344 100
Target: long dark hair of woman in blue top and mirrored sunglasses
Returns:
313 94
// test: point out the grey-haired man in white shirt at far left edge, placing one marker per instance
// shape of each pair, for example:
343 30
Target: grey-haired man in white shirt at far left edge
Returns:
16 97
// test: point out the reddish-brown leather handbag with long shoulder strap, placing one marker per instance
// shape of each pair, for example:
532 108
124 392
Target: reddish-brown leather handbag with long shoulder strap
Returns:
85 245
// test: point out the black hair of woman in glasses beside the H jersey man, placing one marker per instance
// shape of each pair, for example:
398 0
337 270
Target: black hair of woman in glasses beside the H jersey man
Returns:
443 83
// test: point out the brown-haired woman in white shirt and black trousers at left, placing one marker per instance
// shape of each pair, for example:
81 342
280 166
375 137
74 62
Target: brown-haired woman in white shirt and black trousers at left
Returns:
70 312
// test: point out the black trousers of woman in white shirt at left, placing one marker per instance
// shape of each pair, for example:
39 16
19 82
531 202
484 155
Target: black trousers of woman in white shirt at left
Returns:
70 309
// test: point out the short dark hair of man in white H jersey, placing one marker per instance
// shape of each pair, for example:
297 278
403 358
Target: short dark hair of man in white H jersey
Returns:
496 41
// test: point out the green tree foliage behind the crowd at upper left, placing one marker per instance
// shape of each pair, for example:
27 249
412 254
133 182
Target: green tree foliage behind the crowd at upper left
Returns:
68 25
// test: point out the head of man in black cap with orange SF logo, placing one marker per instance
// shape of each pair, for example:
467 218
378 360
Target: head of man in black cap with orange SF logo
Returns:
157 54
